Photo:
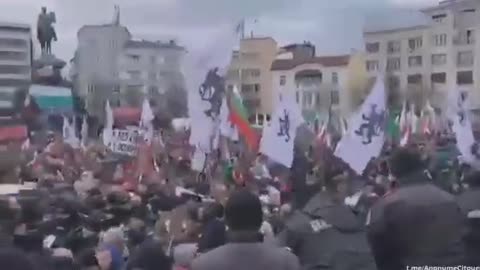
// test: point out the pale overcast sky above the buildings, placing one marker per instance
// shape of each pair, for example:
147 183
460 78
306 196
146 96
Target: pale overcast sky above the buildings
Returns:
334 26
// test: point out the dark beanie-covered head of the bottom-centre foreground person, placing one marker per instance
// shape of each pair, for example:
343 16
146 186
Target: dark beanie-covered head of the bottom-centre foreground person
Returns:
243 211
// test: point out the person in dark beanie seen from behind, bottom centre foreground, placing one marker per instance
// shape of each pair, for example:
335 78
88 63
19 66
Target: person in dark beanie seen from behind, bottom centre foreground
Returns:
244 248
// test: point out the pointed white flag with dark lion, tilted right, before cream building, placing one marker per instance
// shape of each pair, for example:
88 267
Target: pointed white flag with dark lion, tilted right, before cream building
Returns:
366 136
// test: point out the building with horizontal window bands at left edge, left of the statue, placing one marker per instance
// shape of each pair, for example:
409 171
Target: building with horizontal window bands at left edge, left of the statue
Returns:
15 63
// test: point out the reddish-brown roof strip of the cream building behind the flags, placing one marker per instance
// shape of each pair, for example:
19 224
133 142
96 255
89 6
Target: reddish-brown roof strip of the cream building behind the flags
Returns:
327 61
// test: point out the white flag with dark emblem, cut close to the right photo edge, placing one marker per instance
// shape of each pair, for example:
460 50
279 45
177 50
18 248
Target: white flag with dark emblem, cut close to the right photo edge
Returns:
462 125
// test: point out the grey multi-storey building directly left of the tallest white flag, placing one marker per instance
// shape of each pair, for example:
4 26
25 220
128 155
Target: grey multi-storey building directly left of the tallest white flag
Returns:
149 69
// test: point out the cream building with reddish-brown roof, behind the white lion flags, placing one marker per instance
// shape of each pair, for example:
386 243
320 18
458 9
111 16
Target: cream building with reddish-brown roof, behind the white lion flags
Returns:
320 84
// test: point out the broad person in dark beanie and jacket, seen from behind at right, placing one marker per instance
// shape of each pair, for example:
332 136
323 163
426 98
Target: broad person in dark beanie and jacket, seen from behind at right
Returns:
417 223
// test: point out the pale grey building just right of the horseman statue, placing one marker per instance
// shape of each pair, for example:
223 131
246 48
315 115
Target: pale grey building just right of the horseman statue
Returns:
96 63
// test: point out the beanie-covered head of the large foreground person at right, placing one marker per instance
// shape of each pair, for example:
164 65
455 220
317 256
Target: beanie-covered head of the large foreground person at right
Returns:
405 161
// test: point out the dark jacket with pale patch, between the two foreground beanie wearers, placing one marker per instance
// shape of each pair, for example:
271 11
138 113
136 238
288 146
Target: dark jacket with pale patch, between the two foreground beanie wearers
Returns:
327 235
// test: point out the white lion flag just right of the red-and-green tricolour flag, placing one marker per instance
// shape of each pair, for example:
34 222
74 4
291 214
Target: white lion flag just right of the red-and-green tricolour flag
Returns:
278 138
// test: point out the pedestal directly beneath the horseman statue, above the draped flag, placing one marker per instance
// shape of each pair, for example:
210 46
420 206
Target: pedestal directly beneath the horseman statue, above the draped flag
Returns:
48 69
